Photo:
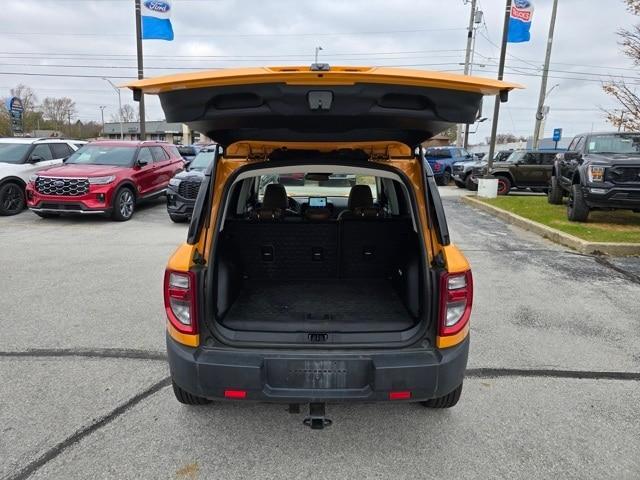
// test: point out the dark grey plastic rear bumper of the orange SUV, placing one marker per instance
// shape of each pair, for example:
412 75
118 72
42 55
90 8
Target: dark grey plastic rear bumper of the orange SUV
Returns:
288 377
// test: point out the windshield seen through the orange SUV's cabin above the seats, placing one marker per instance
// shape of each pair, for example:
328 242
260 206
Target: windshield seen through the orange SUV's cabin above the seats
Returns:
317 185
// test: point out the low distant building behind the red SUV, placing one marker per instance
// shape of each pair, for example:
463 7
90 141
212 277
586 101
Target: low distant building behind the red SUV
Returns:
176 133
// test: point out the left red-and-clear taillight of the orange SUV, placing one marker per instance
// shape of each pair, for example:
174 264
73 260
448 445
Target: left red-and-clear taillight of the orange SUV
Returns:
180 300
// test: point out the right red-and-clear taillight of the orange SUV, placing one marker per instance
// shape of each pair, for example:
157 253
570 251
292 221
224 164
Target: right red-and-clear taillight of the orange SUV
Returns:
456 298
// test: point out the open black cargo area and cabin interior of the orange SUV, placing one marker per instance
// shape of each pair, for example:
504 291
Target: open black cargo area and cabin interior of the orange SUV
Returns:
348 264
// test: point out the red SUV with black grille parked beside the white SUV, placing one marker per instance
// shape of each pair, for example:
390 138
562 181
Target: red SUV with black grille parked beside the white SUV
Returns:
104 177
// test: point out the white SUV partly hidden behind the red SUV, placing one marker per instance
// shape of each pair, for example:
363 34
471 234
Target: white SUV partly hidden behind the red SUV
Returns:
22 157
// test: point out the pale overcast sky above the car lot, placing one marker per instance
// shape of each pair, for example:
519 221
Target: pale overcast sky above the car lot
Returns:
97 38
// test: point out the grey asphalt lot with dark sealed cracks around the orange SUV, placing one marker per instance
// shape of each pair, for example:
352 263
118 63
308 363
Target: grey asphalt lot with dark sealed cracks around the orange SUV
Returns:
552 389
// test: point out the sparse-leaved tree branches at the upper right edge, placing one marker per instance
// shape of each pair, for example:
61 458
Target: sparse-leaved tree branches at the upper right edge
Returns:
628 116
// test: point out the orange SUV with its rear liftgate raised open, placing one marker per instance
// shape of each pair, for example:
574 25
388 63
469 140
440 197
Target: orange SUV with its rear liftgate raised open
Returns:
319 291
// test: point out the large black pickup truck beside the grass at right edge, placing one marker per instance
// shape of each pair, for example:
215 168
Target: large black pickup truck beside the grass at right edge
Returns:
598 171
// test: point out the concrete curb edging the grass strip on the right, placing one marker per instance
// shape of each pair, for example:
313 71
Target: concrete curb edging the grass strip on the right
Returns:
582 246
